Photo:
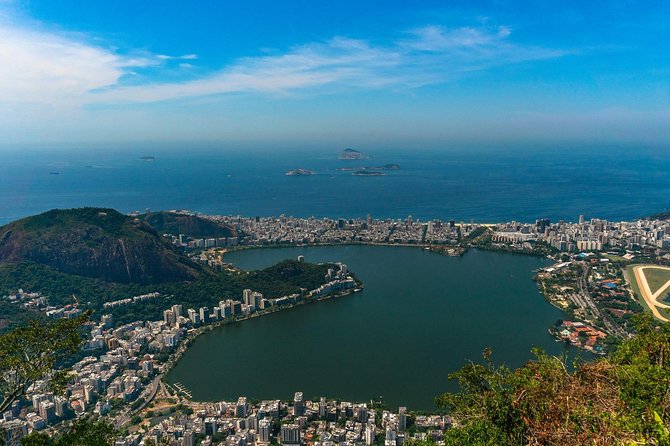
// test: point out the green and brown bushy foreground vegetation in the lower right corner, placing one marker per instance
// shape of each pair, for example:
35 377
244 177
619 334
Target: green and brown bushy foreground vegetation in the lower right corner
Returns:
623 399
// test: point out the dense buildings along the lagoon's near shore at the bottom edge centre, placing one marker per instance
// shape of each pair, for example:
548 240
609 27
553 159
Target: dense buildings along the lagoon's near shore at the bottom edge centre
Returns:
319 423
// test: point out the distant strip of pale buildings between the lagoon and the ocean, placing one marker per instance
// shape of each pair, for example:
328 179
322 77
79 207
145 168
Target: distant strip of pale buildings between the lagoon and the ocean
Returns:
651 236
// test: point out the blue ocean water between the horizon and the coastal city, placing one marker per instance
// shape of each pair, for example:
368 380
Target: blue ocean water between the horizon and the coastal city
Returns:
462 184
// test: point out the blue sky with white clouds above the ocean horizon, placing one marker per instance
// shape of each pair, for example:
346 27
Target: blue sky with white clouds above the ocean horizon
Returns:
359 73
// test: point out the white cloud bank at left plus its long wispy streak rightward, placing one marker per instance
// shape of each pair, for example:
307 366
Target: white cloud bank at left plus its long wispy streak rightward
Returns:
42 67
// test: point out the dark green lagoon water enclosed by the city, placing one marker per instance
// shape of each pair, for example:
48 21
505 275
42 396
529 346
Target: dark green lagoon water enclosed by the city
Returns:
421 316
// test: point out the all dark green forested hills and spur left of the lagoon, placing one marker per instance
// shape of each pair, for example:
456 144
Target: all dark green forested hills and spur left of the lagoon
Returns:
90 256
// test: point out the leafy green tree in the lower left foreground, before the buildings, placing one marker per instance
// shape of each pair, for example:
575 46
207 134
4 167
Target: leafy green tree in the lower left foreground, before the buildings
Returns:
30 353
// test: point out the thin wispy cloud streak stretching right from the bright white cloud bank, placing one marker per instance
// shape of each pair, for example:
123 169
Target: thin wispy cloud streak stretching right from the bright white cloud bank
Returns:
431 54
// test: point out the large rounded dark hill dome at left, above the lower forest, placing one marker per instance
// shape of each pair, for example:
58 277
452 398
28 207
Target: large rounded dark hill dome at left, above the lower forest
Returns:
96 242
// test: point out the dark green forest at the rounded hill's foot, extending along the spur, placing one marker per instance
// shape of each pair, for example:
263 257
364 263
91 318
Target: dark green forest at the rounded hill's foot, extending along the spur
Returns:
61 289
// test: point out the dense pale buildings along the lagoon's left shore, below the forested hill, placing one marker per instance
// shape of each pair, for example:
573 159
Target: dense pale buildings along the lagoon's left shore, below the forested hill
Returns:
125 362
